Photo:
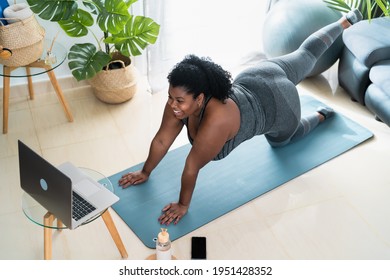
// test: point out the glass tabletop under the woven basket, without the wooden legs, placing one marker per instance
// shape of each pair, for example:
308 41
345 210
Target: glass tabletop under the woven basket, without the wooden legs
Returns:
47 62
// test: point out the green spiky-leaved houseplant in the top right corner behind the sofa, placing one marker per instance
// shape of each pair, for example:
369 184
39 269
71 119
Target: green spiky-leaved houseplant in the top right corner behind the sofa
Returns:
368 8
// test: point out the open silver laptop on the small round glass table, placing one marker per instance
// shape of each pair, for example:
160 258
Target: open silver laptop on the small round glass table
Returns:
65 191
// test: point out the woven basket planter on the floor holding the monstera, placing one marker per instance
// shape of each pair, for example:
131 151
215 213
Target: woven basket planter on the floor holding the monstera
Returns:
116 85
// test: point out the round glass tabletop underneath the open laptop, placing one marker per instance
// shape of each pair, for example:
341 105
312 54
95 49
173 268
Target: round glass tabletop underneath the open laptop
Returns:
35 212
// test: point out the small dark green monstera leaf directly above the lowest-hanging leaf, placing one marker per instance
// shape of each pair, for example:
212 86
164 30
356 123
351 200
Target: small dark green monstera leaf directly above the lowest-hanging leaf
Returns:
77 25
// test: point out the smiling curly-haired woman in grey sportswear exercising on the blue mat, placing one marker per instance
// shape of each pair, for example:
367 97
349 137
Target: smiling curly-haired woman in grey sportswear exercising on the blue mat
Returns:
220 115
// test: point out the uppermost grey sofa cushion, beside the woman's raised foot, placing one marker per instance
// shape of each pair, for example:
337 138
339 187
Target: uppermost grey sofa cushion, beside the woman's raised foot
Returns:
369 40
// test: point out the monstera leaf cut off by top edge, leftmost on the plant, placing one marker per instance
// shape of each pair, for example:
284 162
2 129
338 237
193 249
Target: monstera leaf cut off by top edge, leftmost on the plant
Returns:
53 10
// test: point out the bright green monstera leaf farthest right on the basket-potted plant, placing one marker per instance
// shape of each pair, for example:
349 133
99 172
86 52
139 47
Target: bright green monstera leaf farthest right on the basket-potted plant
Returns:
136 35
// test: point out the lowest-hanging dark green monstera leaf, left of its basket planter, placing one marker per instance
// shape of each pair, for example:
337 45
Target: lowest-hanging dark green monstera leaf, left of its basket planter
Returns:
85 61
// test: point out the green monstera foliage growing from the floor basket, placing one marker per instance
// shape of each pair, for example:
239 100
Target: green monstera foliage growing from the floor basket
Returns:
121 31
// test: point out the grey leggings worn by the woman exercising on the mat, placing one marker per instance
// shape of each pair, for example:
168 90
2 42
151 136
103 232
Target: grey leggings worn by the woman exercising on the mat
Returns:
289 70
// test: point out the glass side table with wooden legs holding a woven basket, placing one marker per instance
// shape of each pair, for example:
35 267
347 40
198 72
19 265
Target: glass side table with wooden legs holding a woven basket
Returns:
38 67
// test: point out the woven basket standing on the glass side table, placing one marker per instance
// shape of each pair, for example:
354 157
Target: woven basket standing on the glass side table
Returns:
25 39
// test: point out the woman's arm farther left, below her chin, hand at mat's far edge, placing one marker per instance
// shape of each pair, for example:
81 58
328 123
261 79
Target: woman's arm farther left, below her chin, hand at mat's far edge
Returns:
169 129
